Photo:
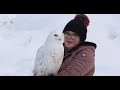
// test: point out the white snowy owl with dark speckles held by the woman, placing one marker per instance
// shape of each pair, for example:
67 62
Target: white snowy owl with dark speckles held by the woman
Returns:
49 57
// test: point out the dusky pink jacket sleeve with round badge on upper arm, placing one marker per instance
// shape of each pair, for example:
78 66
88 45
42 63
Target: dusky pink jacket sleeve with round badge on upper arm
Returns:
81 64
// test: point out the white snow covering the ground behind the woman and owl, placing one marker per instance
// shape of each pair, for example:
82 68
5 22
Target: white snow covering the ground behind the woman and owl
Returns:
20 40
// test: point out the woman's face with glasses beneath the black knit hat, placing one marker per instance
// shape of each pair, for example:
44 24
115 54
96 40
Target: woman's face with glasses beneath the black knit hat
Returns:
71 39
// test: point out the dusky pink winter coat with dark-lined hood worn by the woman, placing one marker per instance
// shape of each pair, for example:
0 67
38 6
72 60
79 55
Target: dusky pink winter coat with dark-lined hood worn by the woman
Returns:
80 61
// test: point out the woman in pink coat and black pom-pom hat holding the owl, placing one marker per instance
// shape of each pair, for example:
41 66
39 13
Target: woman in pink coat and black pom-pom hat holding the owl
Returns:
79 54
